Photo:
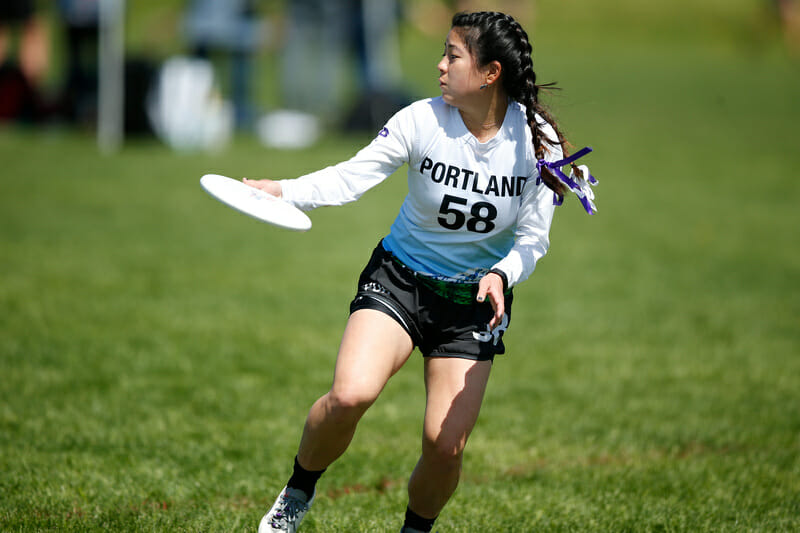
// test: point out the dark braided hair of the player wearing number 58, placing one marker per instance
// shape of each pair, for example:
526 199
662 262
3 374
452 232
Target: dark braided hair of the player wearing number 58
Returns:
492 36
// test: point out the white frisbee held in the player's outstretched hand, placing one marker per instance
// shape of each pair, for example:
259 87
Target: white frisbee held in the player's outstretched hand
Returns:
255 202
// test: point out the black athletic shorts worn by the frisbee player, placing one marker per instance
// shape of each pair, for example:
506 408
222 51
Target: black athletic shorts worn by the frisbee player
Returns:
440 326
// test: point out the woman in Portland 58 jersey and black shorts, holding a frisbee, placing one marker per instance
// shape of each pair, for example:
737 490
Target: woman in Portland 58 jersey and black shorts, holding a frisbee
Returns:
483 180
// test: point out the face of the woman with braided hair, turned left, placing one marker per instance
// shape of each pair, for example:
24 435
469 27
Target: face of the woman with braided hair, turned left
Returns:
459 76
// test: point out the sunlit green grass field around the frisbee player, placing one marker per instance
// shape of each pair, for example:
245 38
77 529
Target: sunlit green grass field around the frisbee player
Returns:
159 352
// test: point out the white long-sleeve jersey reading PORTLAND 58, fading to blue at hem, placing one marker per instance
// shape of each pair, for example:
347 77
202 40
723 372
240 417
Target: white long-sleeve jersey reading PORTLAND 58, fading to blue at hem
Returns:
470 207
